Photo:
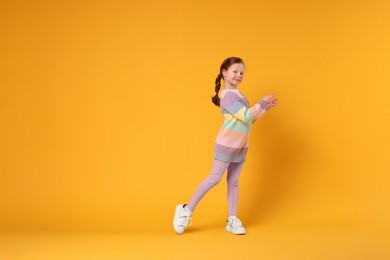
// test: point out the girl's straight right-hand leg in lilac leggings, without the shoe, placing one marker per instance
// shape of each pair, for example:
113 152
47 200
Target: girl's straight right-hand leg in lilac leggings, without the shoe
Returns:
234 172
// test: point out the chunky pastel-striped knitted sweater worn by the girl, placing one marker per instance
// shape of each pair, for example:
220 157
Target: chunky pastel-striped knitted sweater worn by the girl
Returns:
231 144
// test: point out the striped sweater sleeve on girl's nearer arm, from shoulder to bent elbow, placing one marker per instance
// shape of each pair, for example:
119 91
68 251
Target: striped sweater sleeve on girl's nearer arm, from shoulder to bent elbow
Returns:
233 104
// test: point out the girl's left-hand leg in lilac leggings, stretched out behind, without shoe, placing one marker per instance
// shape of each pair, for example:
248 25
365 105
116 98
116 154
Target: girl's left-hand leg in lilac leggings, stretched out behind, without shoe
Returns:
213 179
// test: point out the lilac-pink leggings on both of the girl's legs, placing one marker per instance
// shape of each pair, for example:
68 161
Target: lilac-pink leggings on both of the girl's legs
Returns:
219 168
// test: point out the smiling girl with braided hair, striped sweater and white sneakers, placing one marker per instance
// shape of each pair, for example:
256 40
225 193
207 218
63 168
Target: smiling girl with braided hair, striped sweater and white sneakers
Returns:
231 144
